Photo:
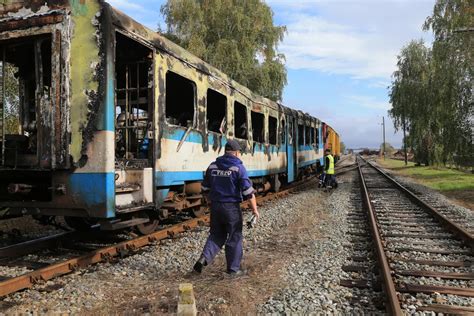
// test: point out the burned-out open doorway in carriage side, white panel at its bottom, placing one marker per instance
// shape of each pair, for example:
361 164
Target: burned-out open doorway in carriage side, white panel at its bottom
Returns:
134 128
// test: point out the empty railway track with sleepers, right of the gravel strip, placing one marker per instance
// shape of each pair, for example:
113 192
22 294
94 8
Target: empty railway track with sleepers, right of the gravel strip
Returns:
424 258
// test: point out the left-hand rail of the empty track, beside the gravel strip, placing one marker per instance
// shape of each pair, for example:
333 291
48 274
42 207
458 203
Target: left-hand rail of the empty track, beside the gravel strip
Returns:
393 304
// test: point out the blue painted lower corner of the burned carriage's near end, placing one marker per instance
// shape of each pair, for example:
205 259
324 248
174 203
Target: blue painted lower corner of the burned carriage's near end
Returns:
96 191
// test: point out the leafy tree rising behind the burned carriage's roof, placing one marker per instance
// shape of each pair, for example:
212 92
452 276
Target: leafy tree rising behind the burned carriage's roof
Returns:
238 37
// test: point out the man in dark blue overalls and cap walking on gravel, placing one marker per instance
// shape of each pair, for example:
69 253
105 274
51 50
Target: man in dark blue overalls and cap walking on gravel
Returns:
226 182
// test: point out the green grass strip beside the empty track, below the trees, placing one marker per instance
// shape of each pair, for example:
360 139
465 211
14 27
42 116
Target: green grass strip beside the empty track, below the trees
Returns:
441 179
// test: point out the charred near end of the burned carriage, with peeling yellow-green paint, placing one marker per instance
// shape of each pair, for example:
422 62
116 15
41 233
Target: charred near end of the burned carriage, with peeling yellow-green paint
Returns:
57 143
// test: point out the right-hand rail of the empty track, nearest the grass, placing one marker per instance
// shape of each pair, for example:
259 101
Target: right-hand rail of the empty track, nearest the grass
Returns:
452 226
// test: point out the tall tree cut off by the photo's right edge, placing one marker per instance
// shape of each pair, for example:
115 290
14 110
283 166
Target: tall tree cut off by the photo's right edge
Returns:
452 24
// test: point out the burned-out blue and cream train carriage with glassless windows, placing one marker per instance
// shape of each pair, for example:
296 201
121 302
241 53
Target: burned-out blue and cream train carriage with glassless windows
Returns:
104 120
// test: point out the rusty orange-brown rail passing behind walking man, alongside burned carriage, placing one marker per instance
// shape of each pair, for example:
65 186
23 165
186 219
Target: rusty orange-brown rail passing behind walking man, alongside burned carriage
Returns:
28 280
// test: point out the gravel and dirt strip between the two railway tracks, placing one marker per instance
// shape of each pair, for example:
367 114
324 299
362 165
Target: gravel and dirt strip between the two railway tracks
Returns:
294 257
